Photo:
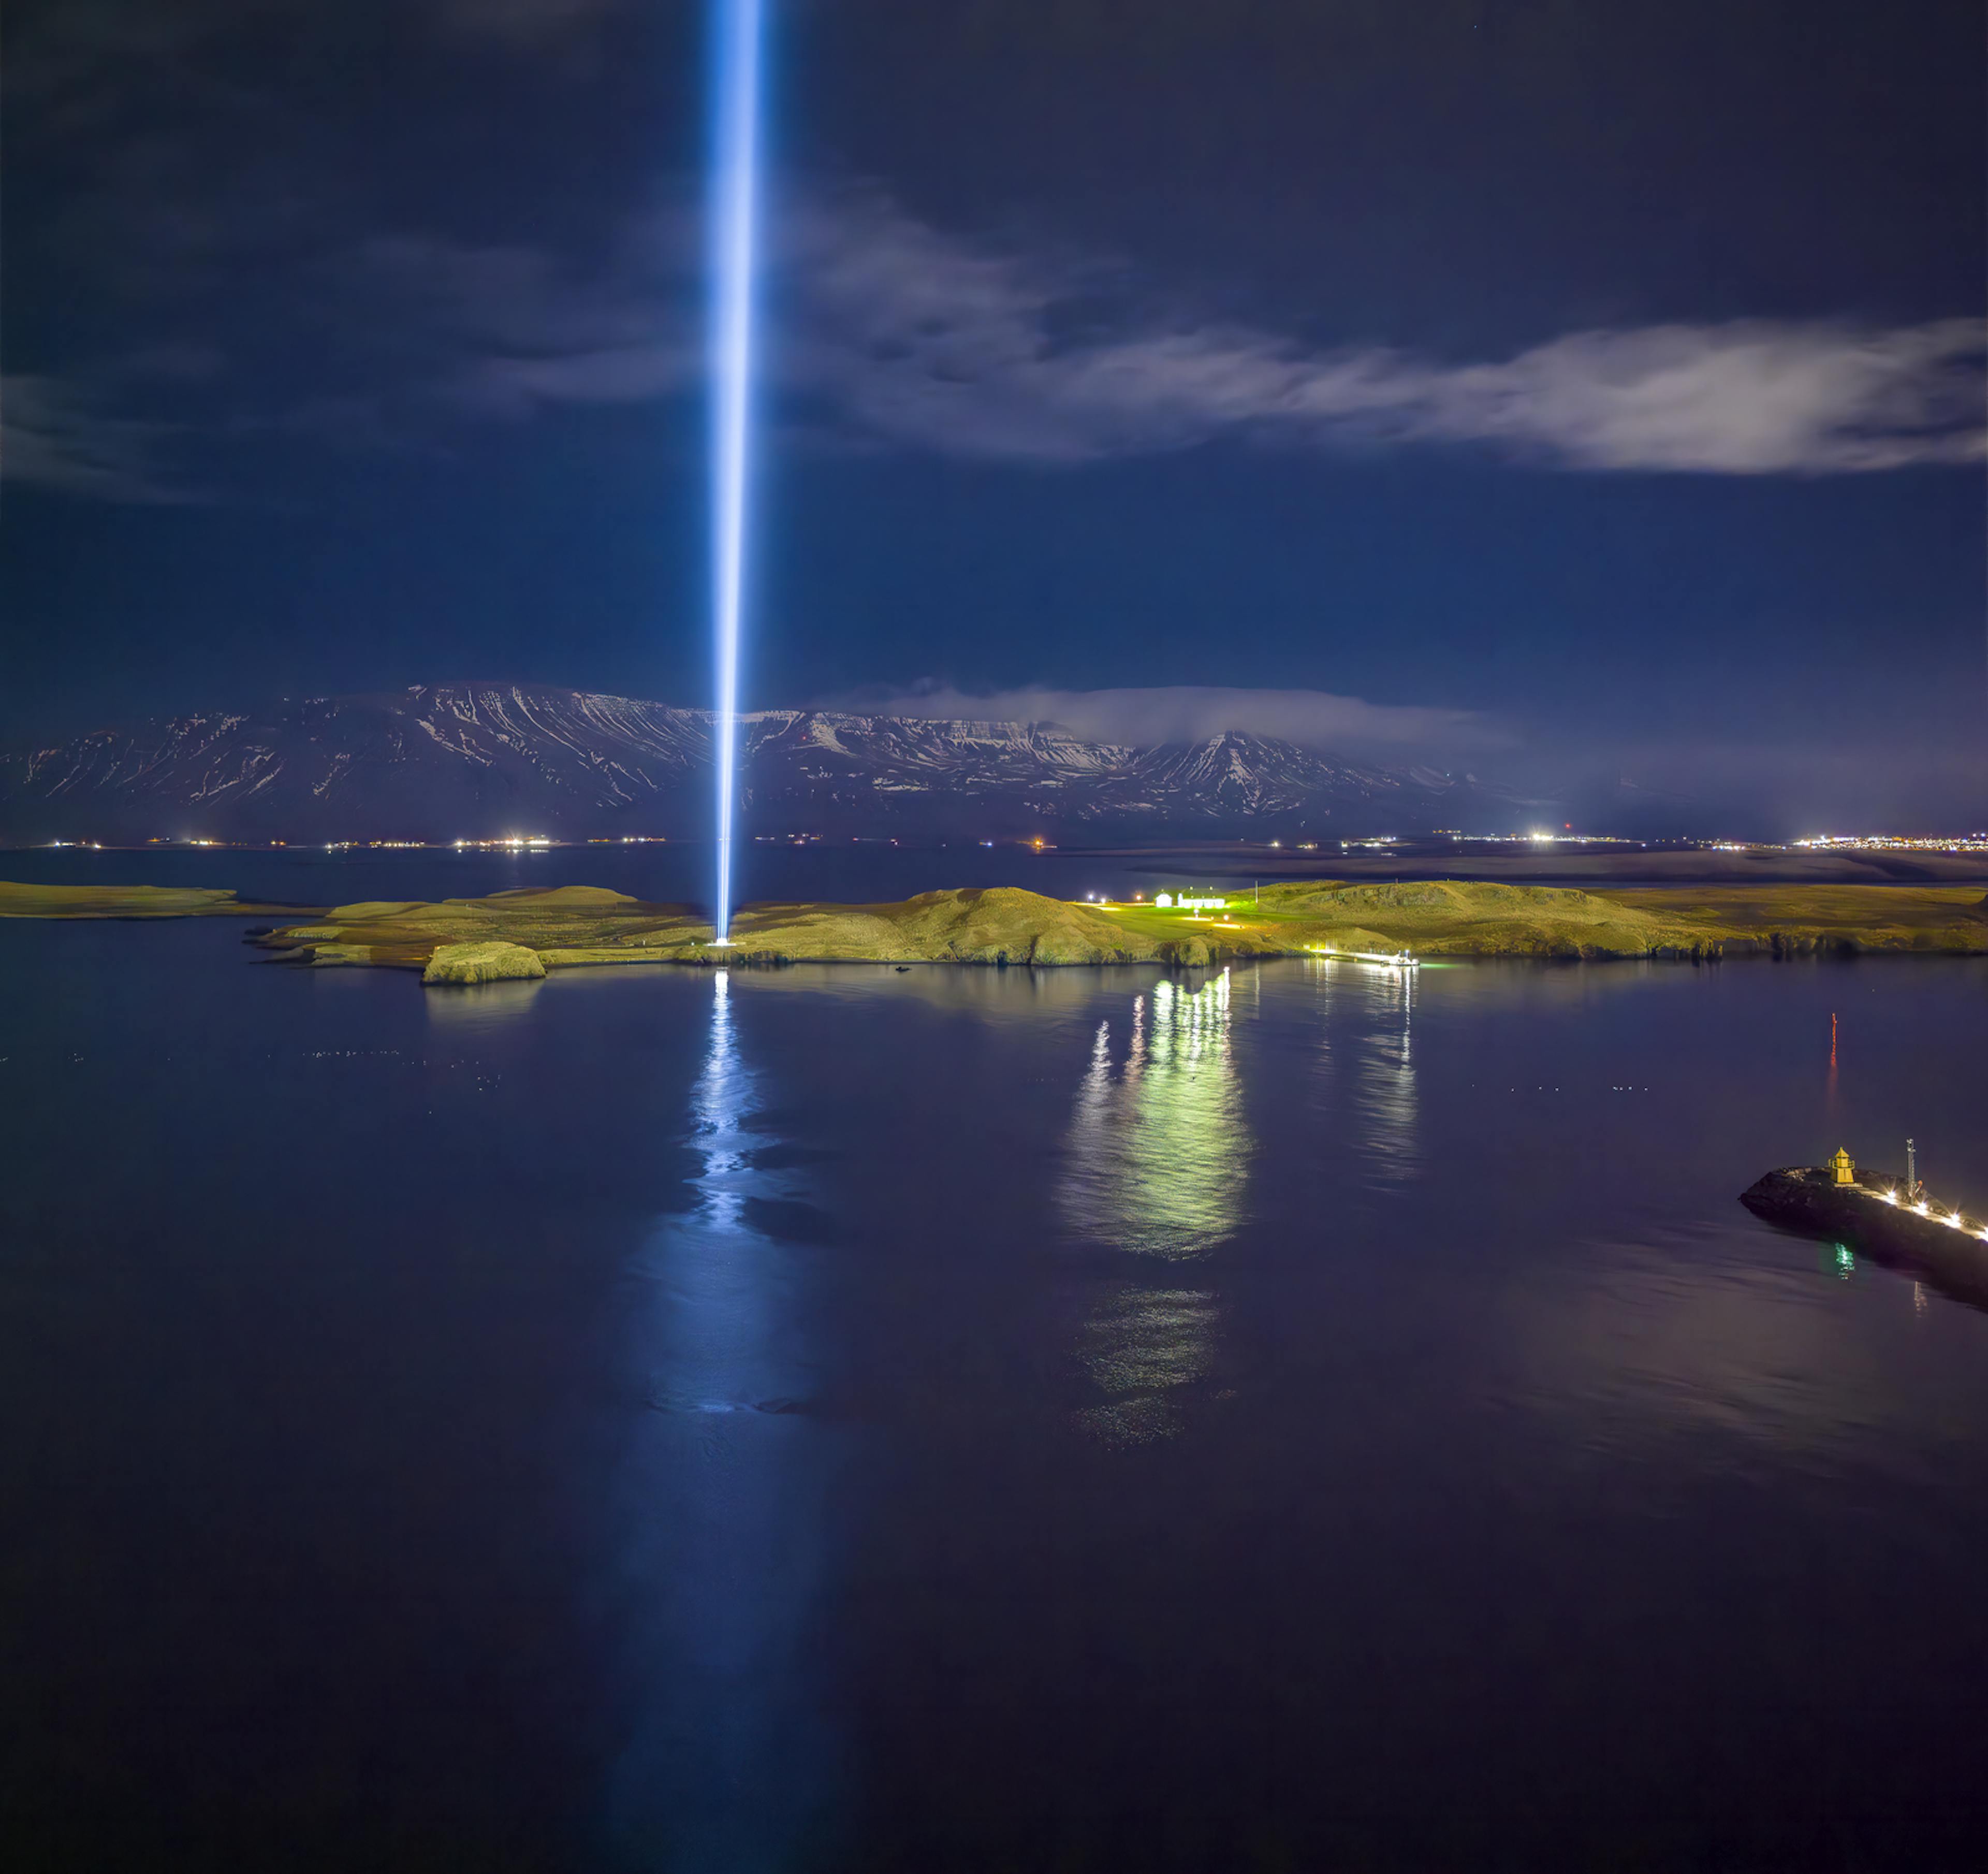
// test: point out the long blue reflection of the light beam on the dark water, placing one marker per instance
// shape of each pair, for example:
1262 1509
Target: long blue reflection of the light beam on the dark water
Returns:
725 1505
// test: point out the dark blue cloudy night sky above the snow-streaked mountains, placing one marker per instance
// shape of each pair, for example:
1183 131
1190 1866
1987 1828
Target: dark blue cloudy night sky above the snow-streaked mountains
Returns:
1595 391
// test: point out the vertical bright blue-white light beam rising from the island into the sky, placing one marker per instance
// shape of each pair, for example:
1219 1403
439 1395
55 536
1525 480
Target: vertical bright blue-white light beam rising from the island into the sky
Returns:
739 35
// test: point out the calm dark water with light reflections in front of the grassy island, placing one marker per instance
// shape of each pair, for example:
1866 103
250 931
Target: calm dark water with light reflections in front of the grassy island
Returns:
846 1419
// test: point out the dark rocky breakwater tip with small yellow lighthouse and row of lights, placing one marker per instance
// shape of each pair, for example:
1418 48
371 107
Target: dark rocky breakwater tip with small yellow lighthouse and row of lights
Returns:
1882 1217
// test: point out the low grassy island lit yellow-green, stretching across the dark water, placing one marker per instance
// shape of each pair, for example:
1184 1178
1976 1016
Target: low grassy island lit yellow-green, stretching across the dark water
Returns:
526 934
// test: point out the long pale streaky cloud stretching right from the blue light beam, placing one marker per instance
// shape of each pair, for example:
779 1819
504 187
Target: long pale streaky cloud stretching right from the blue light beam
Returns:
931 343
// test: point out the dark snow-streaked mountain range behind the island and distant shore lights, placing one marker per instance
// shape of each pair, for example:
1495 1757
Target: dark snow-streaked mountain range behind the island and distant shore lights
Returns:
490 761
